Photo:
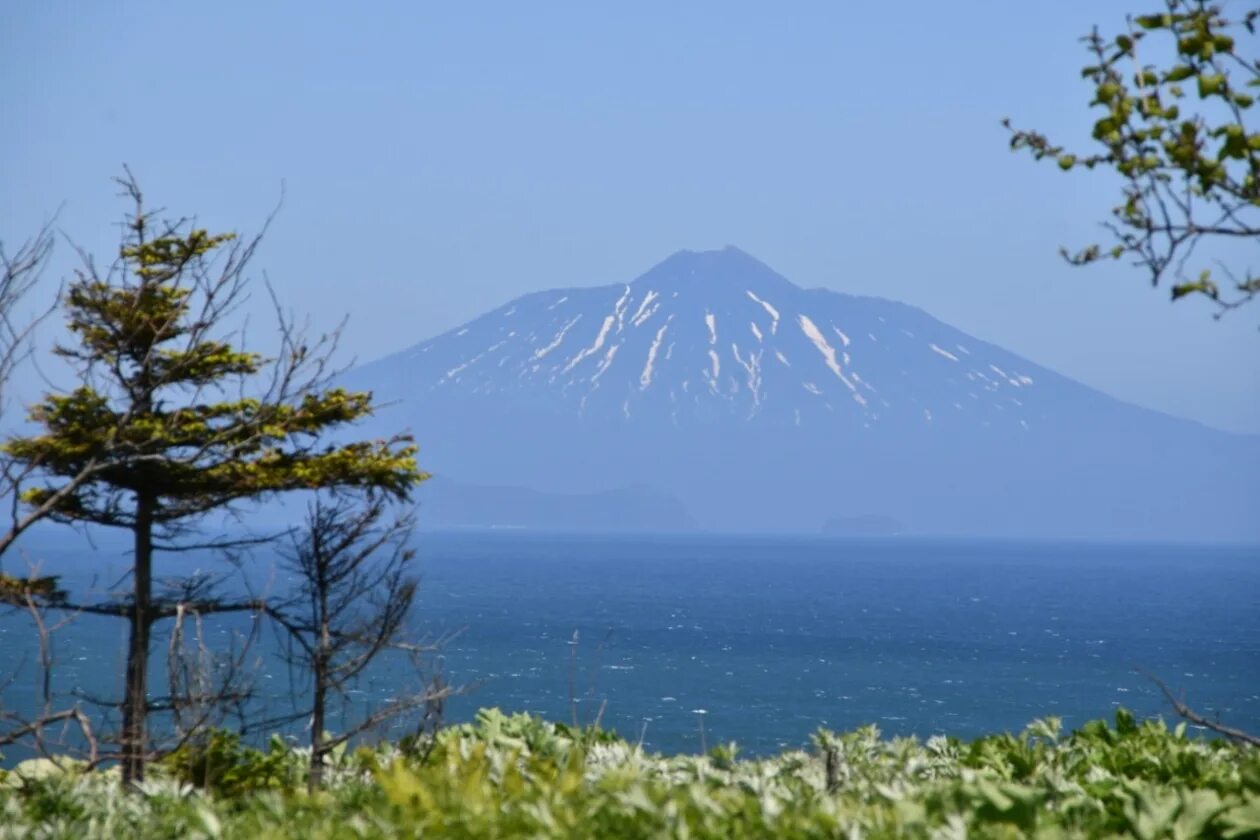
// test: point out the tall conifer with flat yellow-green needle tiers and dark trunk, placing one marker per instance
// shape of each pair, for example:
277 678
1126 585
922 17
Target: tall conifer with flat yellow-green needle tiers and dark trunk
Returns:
180 423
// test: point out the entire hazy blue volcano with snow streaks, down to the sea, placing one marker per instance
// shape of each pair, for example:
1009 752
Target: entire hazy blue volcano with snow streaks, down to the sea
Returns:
763 405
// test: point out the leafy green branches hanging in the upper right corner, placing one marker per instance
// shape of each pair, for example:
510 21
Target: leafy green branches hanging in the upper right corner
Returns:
1175 122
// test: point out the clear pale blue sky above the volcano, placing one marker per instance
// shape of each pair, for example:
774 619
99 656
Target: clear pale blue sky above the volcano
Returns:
443 158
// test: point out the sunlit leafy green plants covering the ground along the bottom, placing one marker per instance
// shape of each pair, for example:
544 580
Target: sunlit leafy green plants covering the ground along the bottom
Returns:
520 776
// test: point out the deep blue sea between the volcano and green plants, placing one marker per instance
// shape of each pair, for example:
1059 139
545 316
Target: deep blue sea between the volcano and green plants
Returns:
763 640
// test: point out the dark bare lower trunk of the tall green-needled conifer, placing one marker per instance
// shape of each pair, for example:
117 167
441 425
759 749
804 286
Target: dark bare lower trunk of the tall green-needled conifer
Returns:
135 700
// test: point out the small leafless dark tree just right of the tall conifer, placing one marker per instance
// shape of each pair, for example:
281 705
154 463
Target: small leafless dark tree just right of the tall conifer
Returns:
355 590
